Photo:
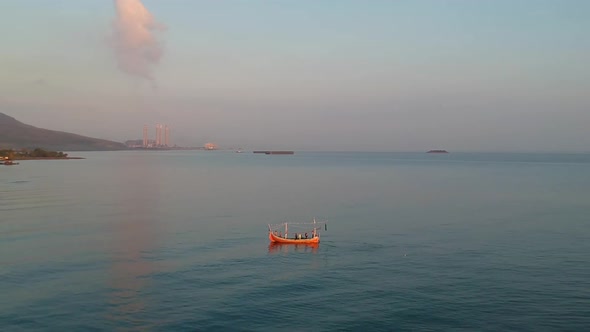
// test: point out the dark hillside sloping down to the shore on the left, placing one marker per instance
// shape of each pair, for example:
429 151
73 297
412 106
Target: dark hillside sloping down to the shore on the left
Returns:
15 134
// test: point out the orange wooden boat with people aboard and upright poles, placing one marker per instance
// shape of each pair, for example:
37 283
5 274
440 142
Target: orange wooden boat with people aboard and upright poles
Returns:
302 233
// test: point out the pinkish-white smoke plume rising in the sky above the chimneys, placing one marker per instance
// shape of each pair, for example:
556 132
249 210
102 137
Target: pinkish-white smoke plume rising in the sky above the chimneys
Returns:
134 39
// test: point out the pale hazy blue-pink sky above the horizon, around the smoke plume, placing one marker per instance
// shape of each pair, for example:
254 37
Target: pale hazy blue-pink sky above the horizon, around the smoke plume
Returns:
391 75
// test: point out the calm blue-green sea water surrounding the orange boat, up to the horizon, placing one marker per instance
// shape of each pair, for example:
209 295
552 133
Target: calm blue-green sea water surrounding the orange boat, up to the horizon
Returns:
176 241
